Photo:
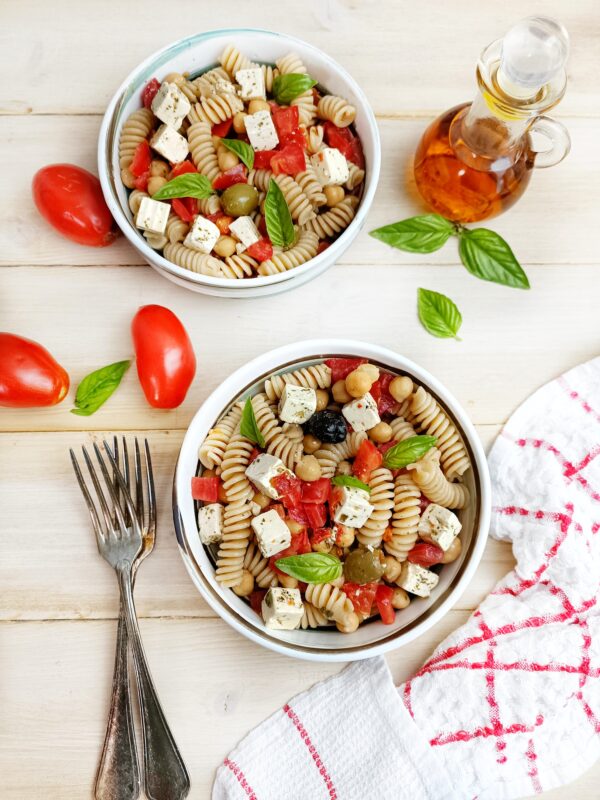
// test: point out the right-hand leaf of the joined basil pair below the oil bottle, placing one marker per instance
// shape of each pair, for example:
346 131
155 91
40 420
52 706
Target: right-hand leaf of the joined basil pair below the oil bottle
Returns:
487 256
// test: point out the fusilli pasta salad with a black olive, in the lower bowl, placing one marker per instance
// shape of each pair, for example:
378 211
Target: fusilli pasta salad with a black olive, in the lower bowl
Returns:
329 497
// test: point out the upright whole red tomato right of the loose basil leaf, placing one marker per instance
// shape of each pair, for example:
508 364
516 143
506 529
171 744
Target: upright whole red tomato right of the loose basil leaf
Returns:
165 358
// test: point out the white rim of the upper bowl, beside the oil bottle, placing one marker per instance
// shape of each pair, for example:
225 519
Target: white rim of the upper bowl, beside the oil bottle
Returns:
108 132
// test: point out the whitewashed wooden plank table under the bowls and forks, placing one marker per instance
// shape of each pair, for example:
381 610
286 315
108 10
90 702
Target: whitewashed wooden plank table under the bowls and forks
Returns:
60 62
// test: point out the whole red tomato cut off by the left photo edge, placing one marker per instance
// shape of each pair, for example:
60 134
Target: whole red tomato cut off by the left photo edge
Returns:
29 376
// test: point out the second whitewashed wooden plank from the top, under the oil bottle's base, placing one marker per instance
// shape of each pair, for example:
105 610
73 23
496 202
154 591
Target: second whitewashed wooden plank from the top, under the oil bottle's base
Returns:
553 207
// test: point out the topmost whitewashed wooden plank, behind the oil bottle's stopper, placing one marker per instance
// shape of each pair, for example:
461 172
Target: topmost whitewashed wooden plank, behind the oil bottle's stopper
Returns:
429 65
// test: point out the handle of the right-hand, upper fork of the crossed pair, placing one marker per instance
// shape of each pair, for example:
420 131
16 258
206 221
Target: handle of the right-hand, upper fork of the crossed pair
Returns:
165 775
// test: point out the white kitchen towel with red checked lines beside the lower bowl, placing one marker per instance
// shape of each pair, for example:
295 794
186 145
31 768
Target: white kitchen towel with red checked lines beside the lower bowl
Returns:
509 704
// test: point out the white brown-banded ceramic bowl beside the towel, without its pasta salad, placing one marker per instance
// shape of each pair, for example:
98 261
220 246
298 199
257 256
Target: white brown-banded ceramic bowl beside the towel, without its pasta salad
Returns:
373 637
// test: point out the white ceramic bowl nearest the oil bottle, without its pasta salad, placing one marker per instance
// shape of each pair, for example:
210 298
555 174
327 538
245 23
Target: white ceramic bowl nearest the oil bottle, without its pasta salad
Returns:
195 54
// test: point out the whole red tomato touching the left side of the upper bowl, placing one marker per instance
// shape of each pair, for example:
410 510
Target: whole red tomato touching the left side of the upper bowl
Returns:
70 199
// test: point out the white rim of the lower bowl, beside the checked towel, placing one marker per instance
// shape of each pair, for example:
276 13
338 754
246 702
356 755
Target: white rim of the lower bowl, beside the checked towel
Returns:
244 377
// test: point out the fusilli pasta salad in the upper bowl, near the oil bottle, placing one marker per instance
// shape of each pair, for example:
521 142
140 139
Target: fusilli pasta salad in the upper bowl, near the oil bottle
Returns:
245 170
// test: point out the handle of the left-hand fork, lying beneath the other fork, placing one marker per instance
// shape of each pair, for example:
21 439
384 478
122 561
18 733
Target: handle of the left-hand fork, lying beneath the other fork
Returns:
118 776
